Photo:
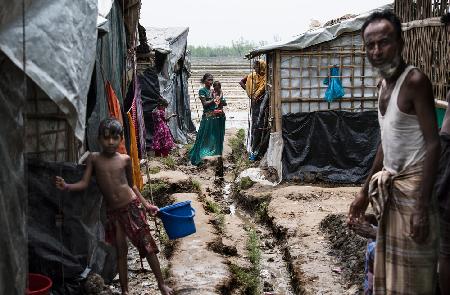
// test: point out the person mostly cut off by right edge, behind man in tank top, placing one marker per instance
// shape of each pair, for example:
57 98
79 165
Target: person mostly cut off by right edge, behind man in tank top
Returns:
443 192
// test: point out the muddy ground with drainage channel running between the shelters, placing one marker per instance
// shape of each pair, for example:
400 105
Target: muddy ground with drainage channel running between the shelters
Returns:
251 238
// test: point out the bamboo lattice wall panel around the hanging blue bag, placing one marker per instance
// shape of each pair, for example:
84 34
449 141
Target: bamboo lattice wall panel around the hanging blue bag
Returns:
302 75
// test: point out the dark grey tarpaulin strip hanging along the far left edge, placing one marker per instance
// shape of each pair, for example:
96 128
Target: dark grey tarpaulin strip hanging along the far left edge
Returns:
13 199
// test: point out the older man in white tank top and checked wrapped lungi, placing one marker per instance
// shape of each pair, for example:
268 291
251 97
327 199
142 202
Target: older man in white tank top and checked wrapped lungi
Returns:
401 182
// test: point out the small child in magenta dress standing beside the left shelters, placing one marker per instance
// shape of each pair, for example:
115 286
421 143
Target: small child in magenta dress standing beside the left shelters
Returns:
162 142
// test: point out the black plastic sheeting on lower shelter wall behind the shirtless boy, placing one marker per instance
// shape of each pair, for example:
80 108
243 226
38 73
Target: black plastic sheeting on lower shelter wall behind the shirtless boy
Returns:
64 252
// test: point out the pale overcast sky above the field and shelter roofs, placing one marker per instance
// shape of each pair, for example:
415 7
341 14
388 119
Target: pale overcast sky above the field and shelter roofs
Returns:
219 22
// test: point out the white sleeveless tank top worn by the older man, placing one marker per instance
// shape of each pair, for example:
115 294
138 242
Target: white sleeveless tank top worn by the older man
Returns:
401 136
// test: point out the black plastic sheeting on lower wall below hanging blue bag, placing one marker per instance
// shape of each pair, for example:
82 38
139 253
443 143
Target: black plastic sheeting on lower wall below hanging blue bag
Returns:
329 146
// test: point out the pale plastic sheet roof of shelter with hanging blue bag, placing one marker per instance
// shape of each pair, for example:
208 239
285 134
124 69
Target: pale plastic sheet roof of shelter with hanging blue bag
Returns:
318 36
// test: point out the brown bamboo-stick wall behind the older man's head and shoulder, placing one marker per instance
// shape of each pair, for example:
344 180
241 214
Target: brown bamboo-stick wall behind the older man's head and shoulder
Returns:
426 46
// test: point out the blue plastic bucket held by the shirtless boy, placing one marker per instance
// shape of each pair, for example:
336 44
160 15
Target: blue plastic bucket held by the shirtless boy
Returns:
178 219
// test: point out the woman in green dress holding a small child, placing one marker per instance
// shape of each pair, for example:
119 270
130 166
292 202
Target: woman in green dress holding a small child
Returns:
209 140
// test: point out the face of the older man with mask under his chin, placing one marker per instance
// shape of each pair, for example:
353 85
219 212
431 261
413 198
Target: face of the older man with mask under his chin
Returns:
383 47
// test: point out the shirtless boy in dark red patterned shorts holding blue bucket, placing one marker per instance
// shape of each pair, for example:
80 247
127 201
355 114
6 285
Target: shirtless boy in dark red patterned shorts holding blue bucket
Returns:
126 206
